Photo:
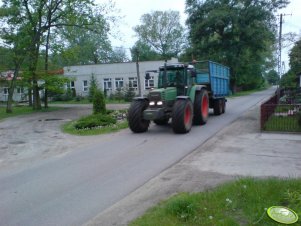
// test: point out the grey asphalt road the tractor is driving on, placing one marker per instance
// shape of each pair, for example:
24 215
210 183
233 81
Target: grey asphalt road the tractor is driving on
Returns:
73 188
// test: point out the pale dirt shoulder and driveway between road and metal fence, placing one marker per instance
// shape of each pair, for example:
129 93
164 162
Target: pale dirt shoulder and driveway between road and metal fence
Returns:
238 150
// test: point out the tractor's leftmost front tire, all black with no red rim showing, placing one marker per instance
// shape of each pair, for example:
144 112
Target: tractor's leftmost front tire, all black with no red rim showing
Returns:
135 116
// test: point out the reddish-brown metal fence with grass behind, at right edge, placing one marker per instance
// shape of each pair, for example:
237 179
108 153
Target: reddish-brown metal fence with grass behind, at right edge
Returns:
280 117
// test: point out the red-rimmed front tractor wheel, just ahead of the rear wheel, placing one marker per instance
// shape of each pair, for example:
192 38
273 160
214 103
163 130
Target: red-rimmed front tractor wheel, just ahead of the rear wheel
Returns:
182 115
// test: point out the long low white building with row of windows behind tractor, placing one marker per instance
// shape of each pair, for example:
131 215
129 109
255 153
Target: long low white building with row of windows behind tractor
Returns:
110 77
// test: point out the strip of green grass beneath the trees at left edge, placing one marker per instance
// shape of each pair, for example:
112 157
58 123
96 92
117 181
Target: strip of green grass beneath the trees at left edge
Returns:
22 110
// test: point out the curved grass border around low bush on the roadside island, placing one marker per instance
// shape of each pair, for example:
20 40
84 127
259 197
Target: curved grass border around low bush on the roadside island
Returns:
70 128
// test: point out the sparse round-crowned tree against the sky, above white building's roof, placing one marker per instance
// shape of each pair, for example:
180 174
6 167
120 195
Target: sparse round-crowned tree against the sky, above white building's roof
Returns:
162 31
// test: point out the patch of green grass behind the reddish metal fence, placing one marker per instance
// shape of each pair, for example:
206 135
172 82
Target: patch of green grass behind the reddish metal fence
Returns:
282 124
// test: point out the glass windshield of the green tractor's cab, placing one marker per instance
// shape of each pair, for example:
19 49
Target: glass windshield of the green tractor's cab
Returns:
174 78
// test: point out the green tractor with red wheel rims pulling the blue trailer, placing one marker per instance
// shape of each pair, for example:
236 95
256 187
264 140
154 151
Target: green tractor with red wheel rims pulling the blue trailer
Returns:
178 97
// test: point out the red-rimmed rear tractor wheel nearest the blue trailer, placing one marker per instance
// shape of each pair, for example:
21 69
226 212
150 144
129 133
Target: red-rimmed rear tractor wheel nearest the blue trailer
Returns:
201 108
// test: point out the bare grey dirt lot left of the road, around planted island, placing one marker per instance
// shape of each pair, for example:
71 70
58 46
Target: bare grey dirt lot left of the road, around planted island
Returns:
29 138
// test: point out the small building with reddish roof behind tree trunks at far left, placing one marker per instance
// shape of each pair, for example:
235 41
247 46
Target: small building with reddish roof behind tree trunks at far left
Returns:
19 91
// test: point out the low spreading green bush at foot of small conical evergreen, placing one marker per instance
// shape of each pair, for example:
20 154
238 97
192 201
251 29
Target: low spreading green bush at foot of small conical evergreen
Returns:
95 120
